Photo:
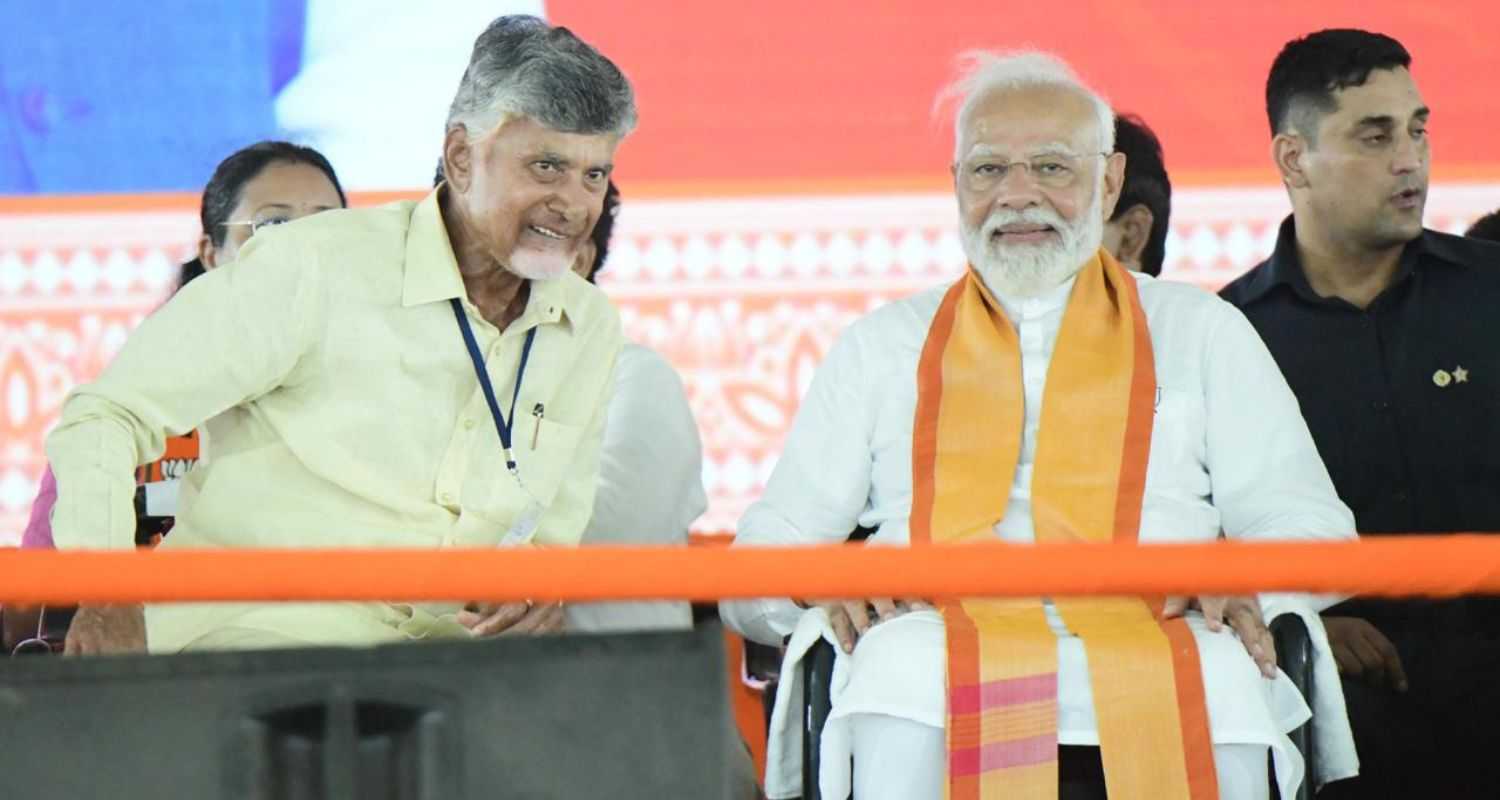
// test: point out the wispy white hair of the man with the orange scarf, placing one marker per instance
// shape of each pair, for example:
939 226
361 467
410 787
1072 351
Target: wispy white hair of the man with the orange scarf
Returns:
983 73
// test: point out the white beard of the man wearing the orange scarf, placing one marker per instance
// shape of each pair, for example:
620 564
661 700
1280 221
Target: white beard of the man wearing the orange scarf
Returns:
1030 271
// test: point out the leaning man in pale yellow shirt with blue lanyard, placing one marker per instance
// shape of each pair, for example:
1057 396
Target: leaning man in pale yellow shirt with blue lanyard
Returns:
418 376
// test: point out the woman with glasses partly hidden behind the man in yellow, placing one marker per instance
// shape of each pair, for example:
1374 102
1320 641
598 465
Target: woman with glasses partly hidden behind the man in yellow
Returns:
266 184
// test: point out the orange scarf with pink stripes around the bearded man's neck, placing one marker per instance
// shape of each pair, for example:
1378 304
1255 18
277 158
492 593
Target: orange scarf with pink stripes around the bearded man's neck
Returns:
1088 486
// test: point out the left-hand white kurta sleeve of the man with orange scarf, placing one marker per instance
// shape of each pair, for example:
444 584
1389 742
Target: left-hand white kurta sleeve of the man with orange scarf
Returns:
820 486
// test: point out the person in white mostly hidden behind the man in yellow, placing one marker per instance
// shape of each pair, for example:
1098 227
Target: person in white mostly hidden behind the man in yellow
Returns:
650 469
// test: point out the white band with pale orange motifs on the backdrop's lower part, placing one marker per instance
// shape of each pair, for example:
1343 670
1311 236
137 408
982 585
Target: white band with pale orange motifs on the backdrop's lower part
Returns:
743 296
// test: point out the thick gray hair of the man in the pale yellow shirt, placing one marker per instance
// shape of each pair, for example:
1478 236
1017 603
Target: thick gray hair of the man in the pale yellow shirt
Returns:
524 67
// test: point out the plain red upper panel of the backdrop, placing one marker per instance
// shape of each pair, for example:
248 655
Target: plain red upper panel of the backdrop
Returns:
839 94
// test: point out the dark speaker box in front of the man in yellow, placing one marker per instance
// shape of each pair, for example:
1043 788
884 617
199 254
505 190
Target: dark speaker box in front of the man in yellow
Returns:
527 718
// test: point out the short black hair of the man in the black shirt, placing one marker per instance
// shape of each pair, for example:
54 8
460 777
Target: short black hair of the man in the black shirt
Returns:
1310 70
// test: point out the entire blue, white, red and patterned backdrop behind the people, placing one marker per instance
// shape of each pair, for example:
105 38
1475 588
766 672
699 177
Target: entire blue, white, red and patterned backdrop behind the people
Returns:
787 176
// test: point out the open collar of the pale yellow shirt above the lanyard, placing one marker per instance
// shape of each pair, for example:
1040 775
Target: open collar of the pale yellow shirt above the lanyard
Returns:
433 272
